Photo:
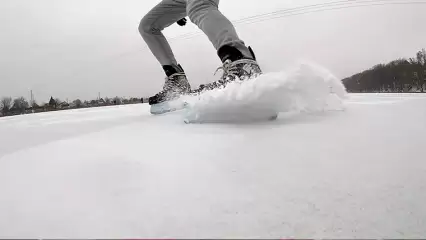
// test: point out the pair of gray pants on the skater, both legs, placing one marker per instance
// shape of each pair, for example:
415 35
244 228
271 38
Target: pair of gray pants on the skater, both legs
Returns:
204 13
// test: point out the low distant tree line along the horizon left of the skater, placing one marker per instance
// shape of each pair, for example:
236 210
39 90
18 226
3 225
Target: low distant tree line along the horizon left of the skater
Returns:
20 105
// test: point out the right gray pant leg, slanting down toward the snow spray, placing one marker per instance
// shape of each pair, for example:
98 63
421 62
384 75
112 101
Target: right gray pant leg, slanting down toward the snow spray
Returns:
206 15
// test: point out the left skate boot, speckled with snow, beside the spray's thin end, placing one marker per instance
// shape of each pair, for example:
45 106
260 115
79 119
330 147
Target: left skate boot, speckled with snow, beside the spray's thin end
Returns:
175 86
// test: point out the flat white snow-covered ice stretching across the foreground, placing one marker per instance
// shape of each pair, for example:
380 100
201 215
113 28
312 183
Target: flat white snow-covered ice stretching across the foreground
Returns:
119 172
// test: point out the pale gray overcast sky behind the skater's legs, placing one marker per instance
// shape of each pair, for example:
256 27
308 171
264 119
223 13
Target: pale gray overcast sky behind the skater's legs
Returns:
77 48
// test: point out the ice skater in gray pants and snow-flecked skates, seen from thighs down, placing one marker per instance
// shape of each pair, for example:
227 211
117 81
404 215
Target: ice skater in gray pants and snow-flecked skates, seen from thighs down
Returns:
238 60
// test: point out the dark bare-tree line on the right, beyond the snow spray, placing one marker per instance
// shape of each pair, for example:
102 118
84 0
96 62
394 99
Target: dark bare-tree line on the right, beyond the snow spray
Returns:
400 75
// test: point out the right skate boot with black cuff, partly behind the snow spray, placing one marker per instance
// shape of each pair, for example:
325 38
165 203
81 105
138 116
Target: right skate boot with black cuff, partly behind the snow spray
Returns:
236 66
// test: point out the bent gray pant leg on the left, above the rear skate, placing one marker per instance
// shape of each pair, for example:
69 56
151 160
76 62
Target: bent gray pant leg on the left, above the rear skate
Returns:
161 16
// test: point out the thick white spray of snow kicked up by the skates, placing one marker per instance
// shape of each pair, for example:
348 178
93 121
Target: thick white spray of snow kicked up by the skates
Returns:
303 88
